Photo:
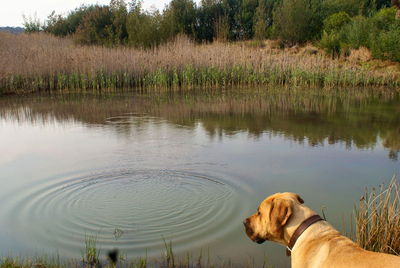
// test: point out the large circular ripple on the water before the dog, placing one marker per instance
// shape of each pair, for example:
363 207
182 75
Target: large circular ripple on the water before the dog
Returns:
132 210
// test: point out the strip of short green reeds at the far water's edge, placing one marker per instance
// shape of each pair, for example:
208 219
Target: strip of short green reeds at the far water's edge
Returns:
194 76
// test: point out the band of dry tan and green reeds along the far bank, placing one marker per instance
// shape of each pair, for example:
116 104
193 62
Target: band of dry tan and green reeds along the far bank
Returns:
42 62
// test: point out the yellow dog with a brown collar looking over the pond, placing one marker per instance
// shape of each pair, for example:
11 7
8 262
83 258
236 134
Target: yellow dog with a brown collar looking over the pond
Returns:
311 241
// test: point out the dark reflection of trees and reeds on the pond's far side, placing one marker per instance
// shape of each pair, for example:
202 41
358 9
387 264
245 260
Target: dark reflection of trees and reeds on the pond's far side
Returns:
355 118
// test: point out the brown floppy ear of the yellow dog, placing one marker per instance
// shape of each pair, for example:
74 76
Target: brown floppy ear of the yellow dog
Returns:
279 214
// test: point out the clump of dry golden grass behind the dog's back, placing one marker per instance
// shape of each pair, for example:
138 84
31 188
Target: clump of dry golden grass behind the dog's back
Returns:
378 220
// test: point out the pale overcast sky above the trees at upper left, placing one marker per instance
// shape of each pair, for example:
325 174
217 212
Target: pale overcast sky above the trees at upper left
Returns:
11 10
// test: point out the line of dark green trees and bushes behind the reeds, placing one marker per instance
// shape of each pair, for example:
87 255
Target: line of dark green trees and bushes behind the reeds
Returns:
292 21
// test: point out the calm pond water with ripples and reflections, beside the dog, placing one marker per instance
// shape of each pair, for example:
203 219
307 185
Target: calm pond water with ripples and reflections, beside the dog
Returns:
134 168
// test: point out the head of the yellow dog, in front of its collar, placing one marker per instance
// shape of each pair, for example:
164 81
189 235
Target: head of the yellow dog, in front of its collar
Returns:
271 217
